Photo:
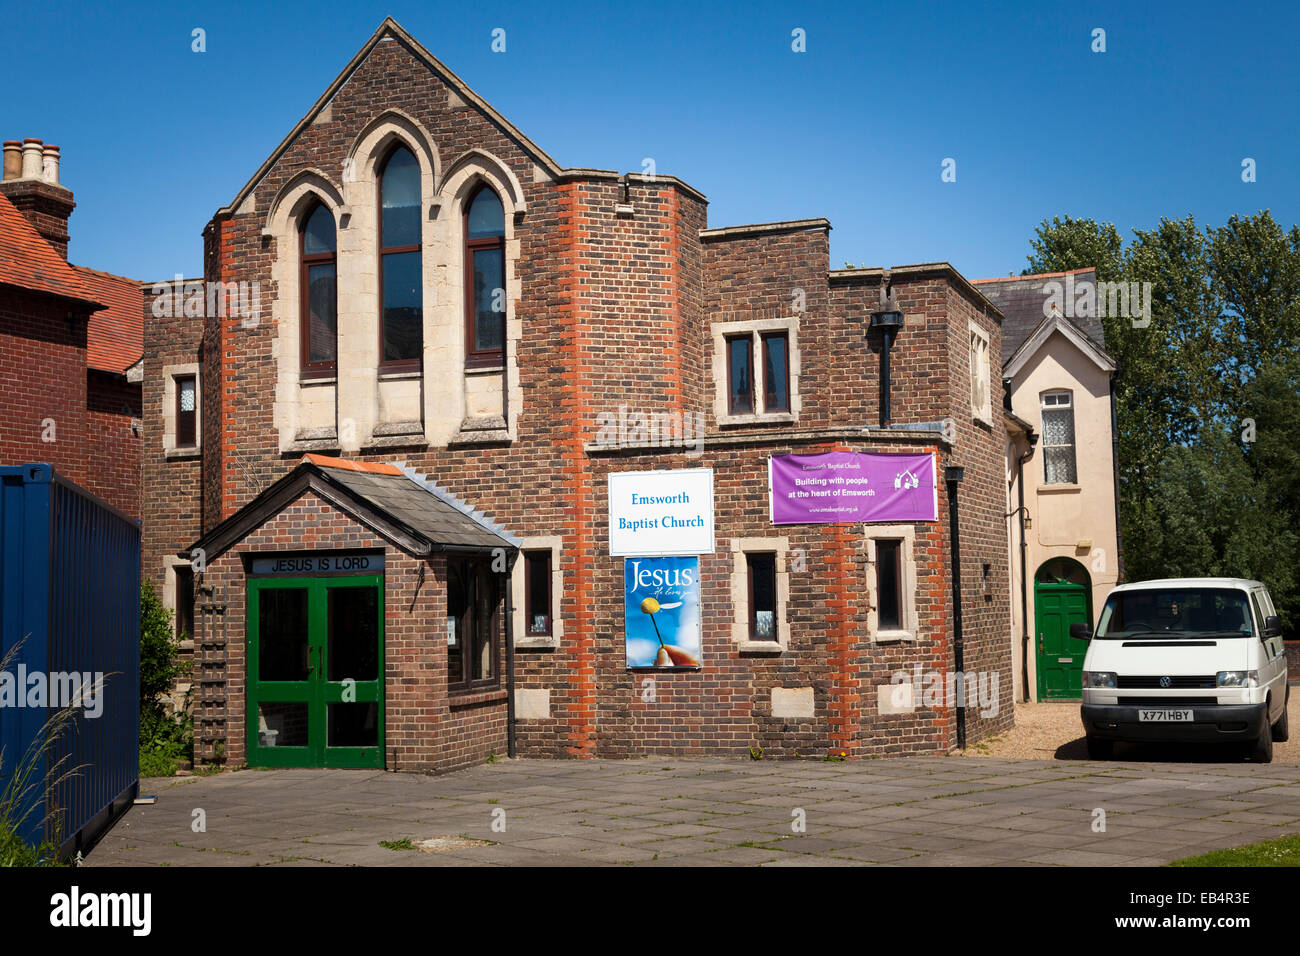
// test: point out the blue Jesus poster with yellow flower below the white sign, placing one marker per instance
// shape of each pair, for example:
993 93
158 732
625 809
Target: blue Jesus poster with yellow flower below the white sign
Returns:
661 600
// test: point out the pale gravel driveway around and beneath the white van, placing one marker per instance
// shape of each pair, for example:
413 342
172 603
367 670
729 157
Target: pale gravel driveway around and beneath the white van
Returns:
1046 732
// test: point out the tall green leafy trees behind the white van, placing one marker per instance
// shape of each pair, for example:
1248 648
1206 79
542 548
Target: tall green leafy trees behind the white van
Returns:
1210 443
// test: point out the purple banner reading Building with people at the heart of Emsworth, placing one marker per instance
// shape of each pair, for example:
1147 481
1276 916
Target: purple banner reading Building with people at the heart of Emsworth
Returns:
844 487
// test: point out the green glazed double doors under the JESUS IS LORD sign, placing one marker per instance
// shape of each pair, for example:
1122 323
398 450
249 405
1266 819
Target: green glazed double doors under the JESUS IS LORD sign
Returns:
317 672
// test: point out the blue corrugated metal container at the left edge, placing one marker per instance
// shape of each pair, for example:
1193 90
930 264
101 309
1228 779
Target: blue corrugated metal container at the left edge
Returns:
70 602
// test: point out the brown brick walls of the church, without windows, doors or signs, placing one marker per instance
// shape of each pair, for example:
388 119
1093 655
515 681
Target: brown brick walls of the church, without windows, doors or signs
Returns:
617 310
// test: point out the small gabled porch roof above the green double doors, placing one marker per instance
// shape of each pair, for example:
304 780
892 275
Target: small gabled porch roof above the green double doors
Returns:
393 503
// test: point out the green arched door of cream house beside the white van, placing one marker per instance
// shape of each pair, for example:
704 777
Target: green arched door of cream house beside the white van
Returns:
1063 596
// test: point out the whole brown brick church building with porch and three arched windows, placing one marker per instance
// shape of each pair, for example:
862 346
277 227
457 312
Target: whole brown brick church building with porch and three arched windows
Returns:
453 405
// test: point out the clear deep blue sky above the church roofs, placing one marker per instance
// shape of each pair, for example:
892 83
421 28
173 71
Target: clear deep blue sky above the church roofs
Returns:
155 137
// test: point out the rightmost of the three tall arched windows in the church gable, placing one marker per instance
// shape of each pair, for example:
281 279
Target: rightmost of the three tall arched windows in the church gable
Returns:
486 280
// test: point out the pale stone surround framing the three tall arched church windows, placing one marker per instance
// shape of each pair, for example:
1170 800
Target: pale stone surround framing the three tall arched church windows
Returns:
356 391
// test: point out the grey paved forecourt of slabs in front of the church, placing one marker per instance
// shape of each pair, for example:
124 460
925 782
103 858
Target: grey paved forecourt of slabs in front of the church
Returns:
911 812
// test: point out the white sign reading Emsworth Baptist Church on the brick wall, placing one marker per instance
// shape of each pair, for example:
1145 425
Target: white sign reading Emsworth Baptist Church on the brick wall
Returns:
662 513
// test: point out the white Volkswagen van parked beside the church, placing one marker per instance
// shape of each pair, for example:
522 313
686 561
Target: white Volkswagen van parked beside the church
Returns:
1186 660
